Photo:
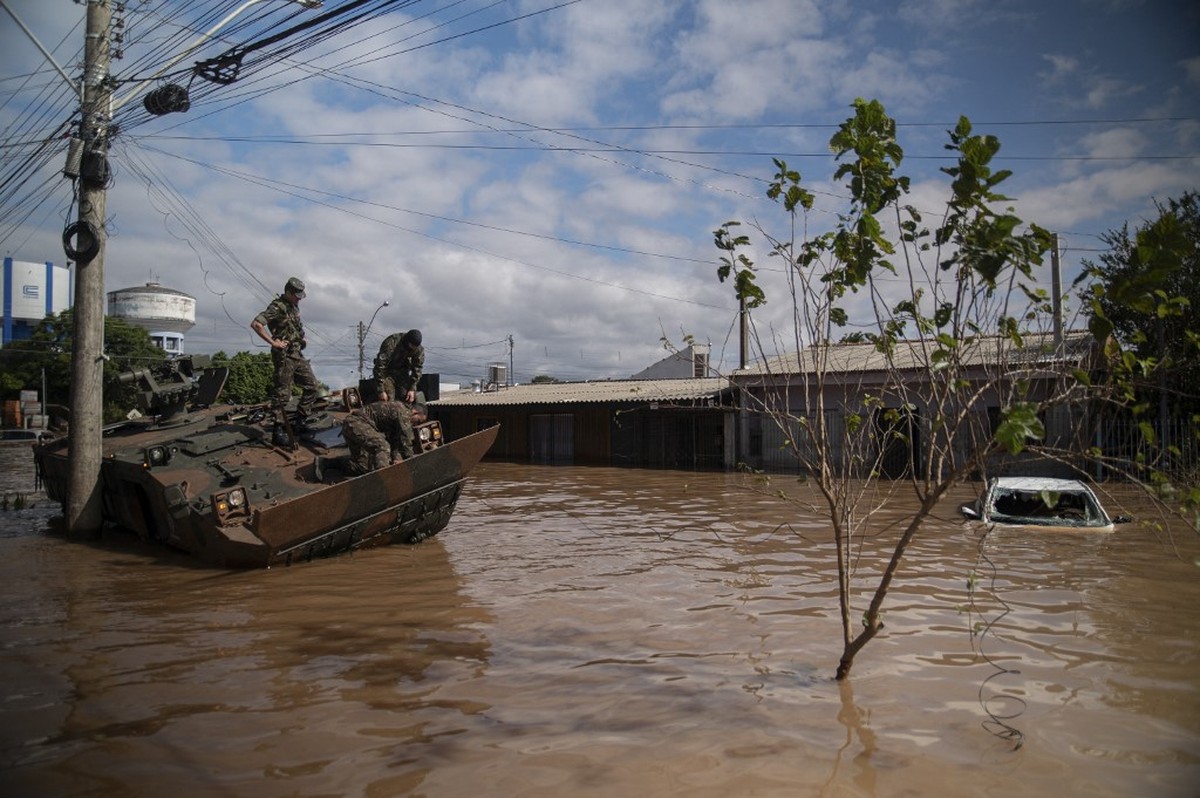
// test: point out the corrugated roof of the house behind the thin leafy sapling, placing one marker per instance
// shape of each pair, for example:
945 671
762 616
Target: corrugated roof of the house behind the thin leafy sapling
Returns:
985 351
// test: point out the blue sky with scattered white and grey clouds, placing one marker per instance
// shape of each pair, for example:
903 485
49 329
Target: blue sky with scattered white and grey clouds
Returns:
536 183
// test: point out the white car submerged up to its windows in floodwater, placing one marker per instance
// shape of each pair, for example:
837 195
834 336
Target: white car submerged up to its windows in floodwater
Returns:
1042 502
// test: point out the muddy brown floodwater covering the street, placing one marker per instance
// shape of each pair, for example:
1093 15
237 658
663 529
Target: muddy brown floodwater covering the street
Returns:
598 632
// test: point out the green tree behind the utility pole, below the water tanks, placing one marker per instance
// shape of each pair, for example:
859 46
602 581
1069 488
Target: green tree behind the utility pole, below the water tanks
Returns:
49 352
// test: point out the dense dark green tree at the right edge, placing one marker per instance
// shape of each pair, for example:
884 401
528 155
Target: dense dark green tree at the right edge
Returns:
1147 292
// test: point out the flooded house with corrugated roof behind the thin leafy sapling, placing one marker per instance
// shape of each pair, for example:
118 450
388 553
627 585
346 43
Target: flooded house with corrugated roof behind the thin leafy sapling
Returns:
782 397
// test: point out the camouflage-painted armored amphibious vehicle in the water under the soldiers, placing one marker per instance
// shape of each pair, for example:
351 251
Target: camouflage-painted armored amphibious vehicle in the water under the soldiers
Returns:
215 483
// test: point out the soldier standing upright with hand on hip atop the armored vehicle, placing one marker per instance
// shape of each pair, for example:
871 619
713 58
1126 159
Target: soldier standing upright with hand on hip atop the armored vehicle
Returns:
280 327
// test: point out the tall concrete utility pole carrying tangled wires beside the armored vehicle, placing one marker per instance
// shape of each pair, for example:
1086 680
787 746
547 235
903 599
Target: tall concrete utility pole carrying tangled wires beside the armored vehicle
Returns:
83 506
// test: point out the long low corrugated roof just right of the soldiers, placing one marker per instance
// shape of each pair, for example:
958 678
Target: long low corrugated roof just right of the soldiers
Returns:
607 392
